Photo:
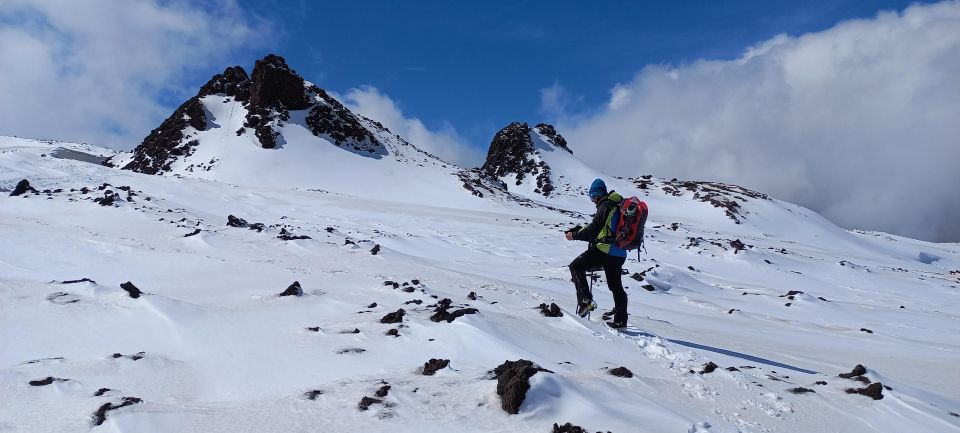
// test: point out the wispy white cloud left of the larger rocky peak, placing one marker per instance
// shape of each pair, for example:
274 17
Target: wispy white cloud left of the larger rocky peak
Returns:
97 70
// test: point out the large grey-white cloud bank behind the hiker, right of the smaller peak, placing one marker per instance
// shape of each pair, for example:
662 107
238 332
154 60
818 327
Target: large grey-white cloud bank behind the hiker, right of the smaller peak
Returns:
860 122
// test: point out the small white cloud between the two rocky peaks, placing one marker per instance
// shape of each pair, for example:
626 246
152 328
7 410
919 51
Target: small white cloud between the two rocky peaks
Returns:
443 142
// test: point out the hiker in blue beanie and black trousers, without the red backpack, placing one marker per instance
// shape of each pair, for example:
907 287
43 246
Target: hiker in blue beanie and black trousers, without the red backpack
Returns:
600 253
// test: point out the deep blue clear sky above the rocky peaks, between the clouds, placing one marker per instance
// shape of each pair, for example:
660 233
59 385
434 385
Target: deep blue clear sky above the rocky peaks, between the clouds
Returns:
480 65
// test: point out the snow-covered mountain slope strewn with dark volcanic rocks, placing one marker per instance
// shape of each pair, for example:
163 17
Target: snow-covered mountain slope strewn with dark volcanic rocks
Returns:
771 293
